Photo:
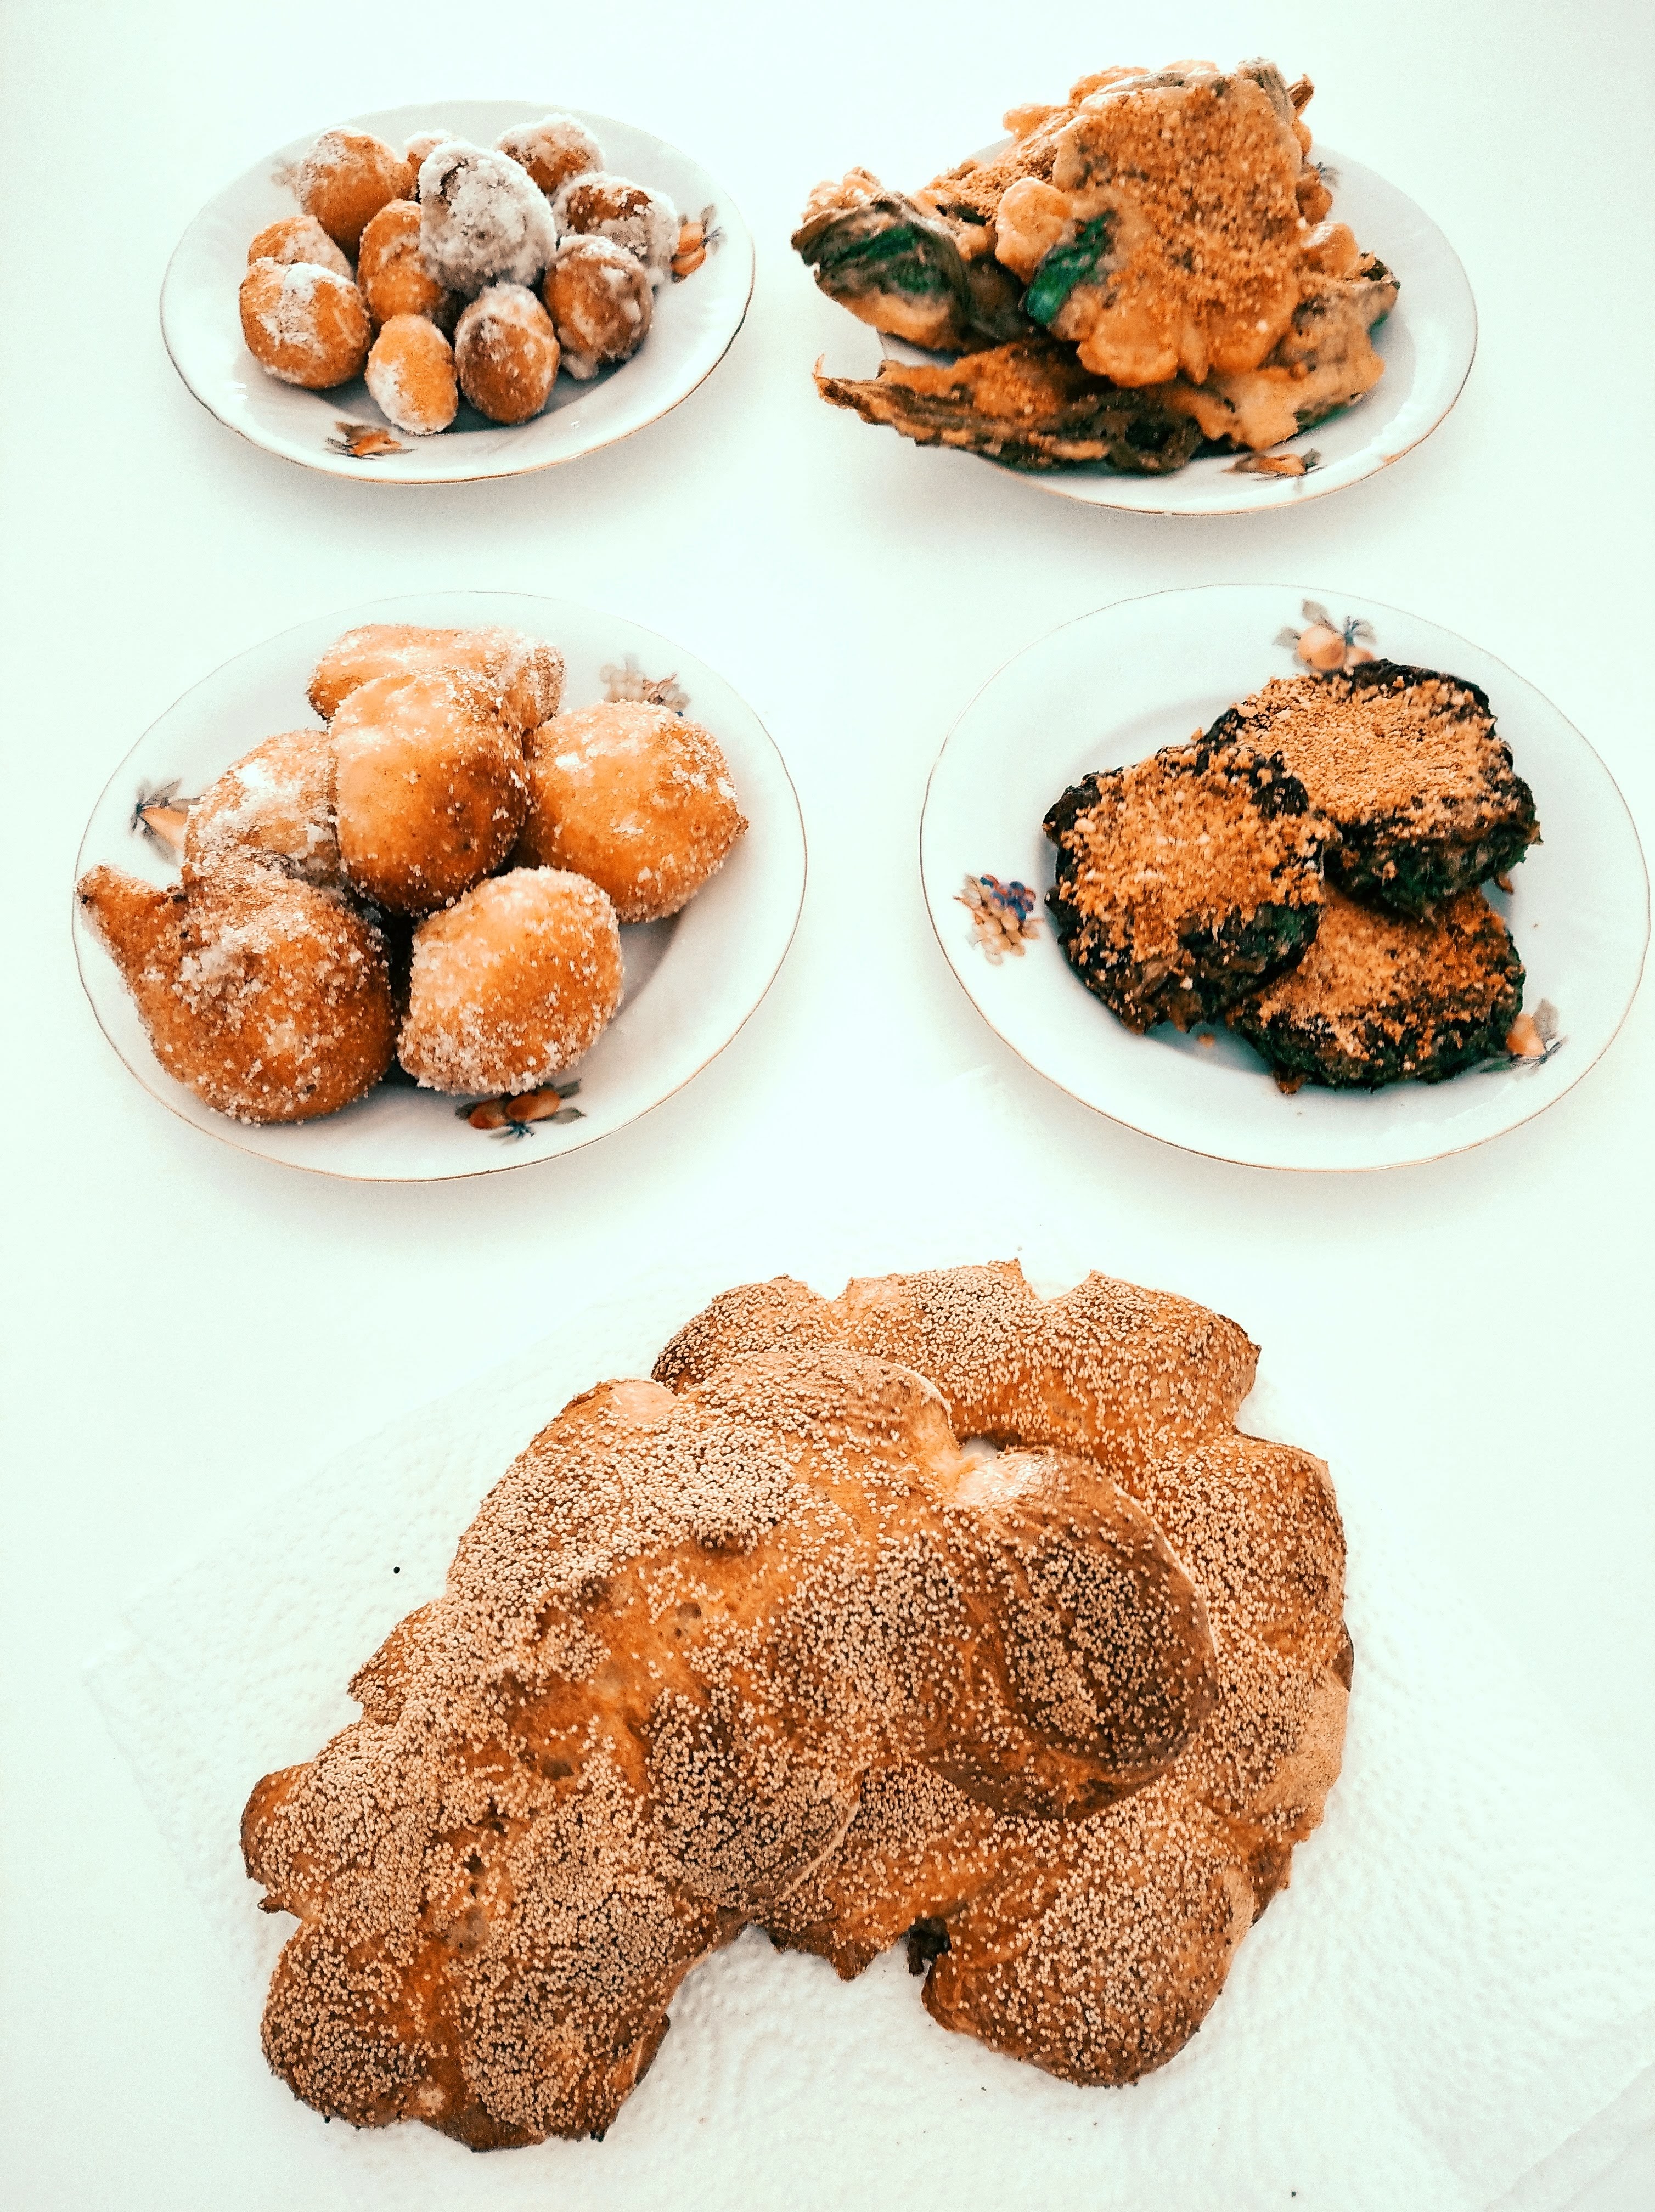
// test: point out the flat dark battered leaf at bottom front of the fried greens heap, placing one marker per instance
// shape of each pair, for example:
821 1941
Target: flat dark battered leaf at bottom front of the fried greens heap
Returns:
1030 406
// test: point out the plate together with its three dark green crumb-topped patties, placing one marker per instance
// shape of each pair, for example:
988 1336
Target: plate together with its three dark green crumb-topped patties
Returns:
1284 879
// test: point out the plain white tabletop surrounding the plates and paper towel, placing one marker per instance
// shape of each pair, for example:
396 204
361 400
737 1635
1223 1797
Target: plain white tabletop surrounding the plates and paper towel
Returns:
191 1328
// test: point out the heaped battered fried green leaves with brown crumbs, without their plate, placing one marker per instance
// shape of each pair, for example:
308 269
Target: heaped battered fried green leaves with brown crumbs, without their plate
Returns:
1143 269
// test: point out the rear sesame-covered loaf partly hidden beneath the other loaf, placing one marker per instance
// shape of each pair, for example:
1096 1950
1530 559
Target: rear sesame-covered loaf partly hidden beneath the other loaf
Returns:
1094 1948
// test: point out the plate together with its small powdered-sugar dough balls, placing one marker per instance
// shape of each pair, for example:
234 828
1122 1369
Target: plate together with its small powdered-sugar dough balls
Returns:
457 291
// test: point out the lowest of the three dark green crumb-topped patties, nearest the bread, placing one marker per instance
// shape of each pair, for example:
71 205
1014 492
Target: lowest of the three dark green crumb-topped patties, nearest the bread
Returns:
1384 999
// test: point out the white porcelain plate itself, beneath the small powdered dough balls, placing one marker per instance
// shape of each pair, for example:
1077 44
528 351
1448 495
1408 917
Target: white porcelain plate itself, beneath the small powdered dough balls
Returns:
691 333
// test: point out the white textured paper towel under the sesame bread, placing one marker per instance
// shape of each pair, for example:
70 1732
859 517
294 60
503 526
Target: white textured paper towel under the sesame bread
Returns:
1453 2005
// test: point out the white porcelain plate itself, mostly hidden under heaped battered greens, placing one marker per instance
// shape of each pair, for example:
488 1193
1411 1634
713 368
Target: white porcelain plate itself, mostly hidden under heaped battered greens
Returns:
1426 342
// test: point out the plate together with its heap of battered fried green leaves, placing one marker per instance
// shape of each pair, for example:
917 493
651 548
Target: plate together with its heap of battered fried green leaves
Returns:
1152 295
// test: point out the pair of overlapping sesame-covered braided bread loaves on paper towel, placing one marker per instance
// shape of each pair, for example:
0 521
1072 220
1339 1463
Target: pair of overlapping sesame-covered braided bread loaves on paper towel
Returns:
760 1642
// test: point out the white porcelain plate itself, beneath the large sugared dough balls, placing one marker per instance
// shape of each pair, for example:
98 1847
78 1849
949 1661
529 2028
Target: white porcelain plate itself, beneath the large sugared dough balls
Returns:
691 981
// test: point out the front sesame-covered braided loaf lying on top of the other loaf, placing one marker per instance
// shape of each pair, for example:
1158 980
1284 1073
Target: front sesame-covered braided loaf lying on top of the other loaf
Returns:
683 1638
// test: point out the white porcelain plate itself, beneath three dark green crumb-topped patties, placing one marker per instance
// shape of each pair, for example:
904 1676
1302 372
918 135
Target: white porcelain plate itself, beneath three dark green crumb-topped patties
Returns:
1132 678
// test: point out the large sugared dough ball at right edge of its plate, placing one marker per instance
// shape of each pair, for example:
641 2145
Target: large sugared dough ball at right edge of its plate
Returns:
634 797
